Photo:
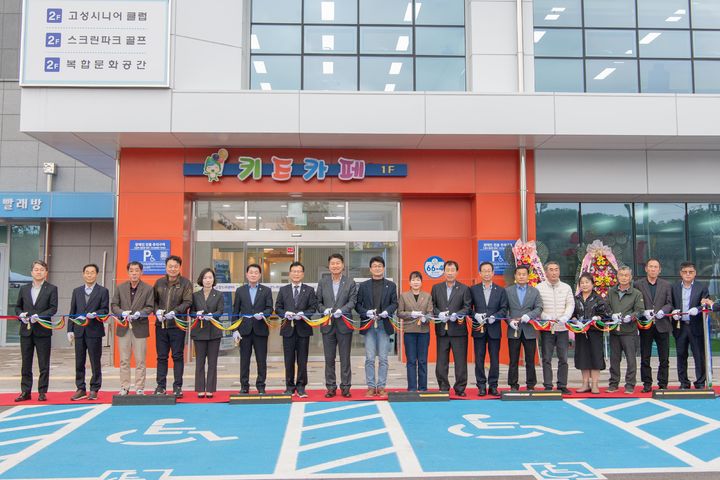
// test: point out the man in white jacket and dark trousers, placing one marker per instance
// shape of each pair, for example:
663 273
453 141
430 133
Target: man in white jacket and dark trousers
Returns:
558 305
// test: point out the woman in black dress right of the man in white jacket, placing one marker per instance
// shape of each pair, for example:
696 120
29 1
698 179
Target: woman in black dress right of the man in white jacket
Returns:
589 357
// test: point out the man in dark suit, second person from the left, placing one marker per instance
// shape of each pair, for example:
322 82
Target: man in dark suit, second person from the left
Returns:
87 303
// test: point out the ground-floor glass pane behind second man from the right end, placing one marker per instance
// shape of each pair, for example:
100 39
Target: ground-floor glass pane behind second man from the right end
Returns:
660 233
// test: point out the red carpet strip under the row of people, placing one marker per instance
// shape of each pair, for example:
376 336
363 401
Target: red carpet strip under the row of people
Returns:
358 394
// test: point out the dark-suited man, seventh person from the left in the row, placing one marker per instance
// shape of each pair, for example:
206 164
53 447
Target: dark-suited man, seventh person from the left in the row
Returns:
295 301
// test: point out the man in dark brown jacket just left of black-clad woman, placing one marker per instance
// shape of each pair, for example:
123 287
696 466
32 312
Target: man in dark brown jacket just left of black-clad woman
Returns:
173 295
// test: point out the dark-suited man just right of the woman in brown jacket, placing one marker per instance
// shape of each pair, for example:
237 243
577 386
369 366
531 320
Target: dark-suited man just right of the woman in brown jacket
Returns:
451 303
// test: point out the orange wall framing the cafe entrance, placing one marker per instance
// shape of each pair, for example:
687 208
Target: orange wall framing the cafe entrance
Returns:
449 200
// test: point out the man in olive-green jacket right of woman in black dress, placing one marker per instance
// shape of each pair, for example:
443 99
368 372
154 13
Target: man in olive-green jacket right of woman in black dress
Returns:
627 304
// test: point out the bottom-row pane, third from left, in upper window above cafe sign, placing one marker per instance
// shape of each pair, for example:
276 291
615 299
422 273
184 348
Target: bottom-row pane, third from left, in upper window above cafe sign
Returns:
390 74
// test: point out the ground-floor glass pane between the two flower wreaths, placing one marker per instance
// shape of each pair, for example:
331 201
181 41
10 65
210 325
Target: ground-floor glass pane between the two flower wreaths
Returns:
557 228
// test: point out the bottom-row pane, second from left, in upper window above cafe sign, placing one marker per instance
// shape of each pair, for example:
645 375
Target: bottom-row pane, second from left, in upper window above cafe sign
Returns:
330 73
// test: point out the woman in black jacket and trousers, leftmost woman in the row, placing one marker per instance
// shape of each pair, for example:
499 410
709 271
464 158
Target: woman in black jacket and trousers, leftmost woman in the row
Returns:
207 303
